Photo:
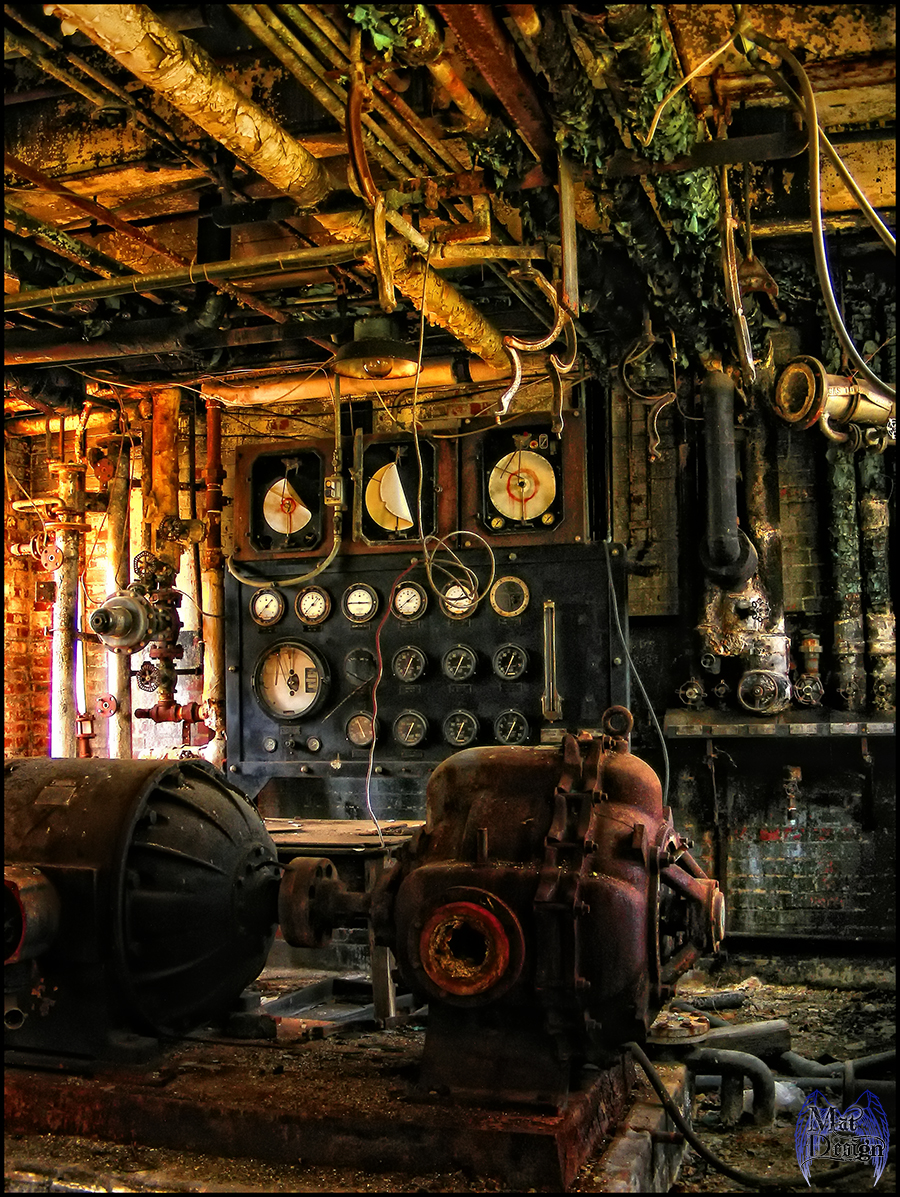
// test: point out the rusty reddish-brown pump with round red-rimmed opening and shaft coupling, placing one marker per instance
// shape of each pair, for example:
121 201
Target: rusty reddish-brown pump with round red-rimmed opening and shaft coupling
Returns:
544 912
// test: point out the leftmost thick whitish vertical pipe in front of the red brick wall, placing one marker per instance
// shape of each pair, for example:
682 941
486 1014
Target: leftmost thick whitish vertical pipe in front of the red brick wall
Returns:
63 669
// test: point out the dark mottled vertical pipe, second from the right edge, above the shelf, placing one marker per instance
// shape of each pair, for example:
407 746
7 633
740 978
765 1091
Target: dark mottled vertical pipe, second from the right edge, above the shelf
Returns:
848 675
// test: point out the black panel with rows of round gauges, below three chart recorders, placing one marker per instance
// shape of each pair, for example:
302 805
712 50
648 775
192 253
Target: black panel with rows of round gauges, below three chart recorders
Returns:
519 661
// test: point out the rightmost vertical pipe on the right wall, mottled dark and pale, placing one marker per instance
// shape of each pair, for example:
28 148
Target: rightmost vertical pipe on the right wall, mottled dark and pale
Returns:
880 631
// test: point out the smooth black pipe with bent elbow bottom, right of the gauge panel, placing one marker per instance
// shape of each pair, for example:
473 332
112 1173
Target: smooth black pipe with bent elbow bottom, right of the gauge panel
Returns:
728 557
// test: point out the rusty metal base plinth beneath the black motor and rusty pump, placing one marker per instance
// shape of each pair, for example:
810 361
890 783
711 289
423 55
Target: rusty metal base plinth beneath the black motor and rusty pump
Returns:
327 1105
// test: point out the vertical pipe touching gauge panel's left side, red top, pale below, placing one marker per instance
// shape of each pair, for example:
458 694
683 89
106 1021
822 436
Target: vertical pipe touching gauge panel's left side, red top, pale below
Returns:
214 591
